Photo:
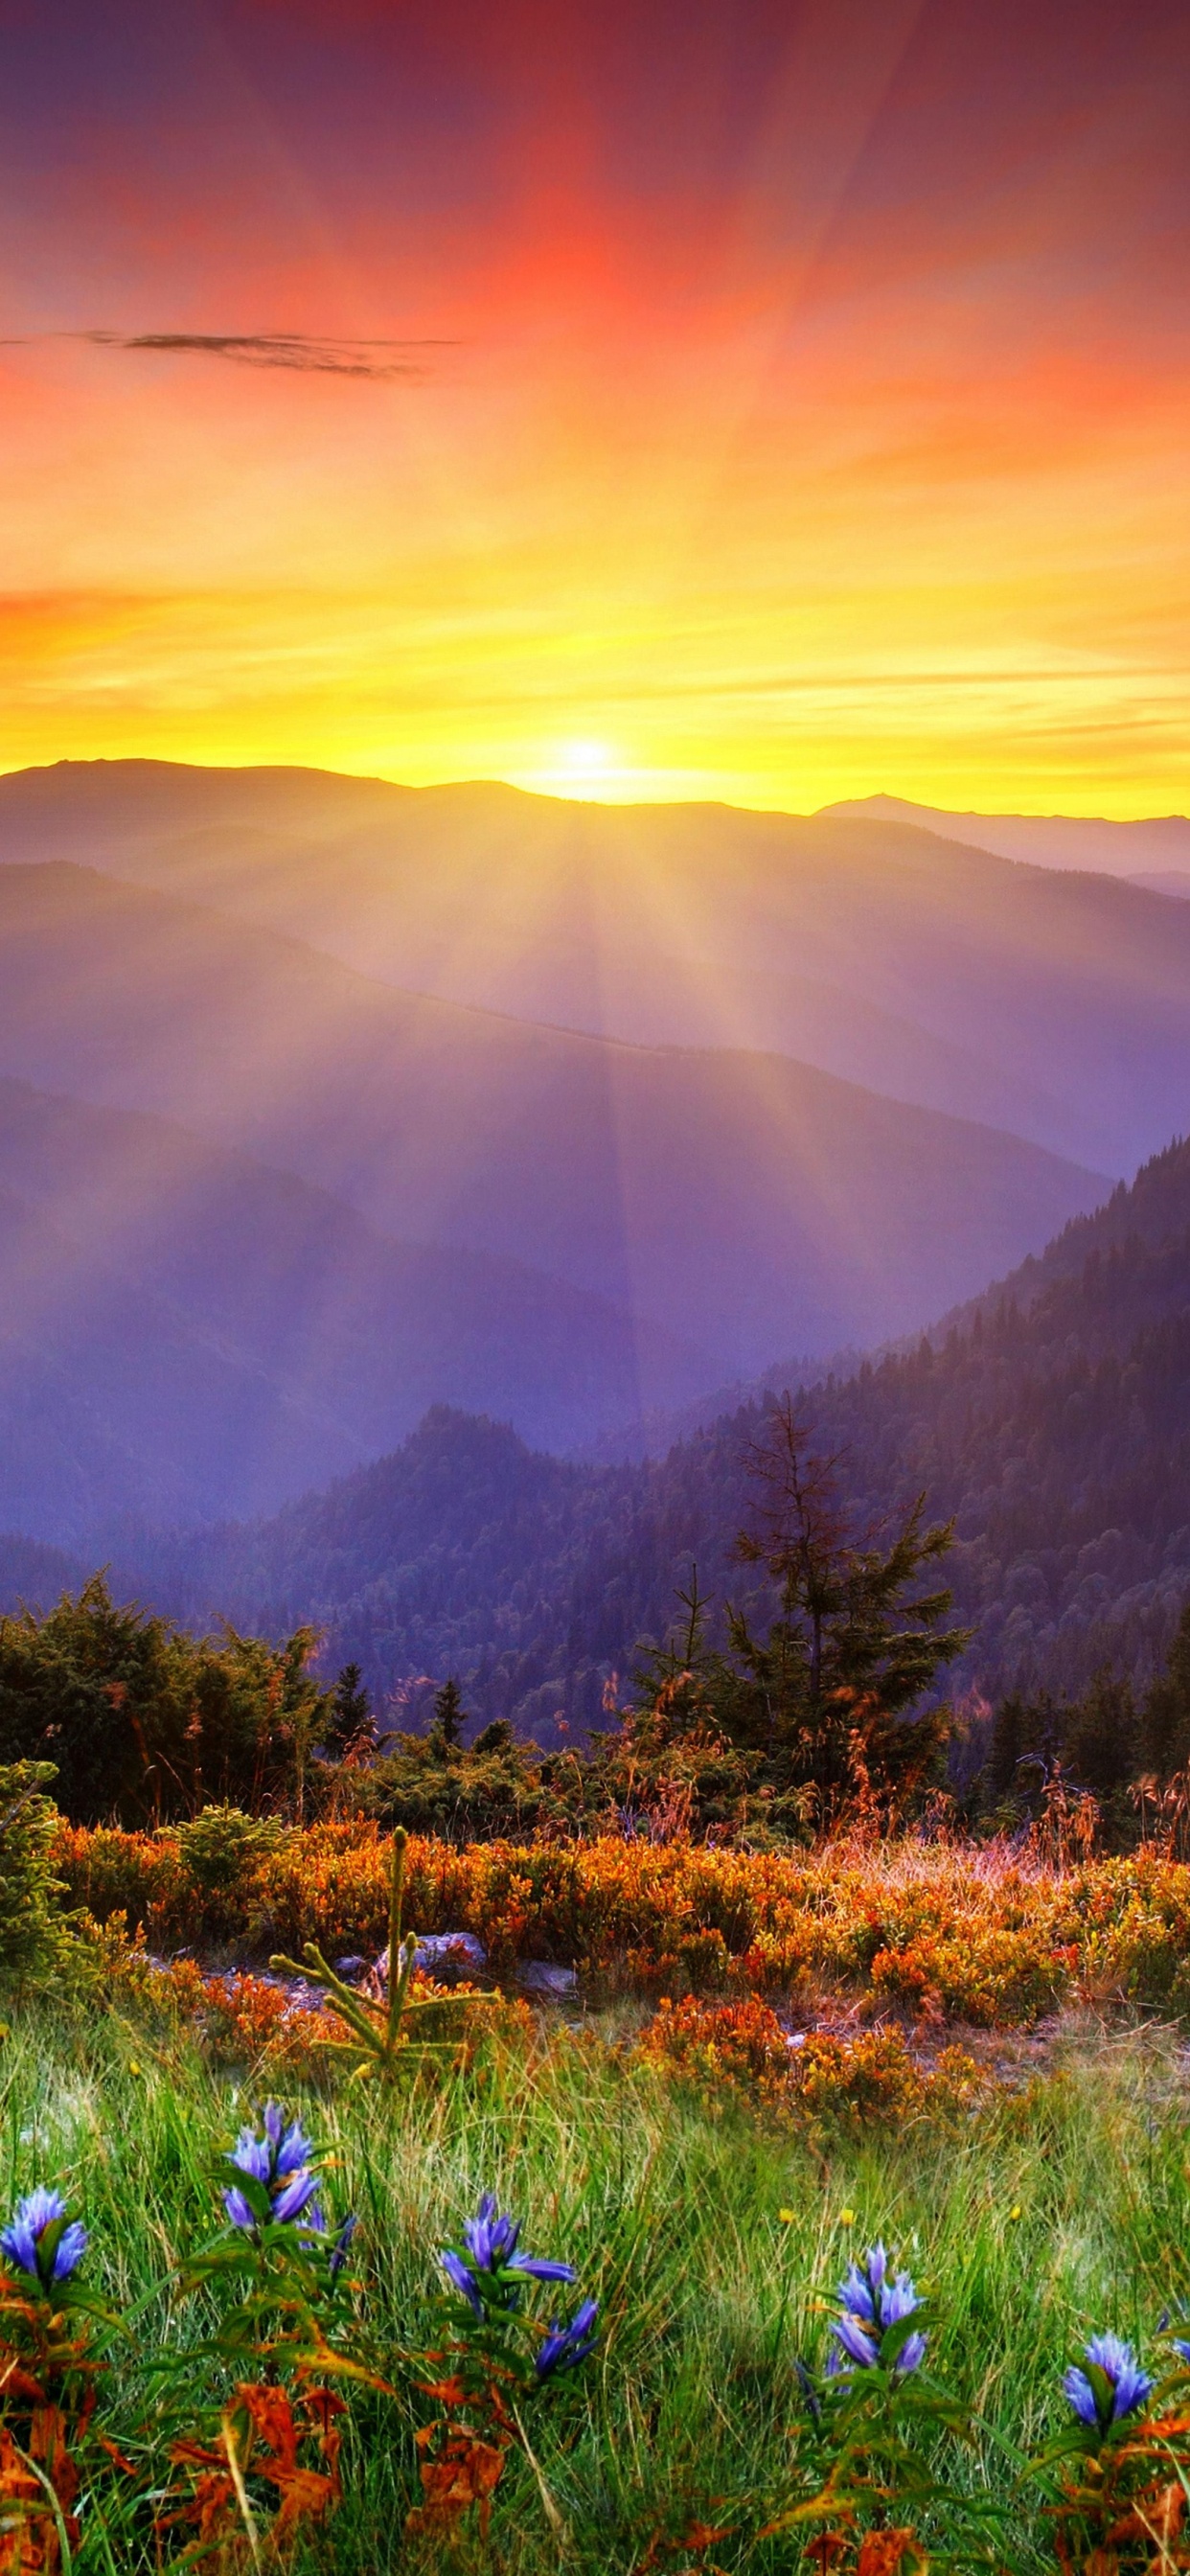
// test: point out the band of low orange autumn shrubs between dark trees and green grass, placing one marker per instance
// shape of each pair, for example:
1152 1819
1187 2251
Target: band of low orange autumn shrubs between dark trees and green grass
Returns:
921 1931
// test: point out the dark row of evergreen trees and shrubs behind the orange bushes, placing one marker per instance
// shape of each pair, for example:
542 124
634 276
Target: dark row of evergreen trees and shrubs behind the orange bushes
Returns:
777 1727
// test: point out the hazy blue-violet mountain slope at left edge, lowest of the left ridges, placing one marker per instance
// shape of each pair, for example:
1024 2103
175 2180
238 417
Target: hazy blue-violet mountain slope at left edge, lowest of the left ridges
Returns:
187 1333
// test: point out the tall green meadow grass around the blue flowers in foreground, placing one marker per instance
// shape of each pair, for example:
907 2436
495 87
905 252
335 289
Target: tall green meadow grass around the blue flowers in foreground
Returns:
1055 2214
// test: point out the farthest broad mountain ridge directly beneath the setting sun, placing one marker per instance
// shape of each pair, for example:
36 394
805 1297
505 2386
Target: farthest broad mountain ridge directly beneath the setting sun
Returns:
1032 998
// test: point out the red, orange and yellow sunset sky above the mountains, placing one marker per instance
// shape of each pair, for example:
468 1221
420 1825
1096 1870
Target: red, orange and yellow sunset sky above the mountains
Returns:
769 401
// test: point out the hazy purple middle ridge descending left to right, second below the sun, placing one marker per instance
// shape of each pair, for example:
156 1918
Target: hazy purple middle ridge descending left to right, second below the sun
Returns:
728 1204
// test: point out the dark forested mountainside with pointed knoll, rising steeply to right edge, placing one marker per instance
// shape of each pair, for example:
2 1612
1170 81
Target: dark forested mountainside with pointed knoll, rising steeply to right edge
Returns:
1052 1421
